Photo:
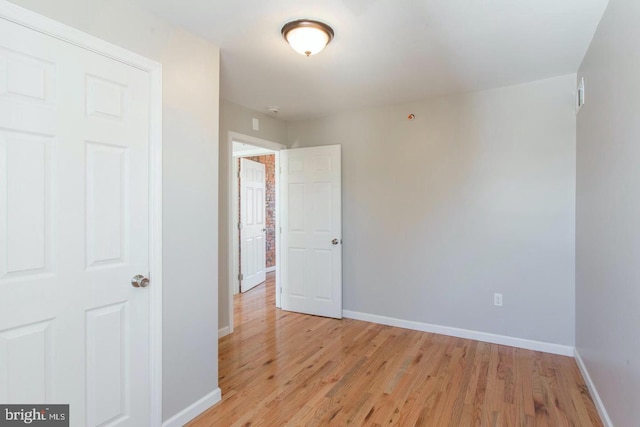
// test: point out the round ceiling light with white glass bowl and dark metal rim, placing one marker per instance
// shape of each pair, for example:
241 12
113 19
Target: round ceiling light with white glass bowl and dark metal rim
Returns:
306 36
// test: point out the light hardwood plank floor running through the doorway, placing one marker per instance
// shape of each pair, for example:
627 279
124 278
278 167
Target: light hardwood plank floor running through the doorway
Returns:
281 368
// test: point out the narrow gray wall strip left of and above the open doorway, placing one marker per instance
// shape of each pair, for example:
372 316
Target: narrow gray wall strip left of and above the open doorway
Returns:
234 118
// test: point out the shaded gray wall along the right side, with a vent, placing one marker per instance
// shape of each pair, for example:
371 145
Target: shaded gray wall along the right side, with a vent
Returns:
608 213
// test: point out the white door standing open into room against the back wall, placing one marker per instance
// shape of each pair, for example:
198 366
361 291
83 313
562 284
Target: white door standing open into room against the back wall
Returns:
312 231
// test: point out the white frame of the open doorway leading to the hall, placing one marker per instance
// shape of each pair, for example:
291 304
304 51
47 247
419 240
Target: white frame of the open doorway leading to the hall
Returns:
232 194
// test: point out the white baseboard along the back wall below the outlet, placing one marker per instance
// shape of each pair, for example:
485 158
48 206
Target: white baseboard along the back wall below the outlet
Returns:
563 350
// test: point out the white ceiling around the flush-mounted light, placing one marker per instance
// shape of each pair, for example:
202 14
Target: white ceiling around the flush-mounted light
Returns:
385 51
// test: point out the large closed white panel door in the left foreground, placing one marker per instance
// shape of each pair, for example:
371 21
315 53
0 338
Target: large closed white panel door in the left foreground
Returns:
74 221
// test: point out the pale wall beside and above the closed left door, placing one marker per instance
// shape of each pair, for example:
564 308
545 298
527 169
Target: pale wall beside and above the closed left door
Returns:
190 187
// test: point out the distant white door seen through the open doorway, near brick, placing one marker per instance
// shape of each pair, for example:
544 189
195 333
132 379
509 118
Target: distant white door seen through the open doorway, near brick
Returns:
253 225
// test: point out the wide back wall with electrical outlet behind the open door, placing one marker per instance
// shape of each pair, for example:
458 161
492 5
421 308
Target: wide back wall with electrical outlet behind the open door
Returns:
474 196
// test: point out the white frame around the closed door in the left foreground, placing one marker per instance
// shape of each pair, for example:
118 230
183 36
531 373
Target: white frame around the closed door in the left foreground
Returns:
39 23
